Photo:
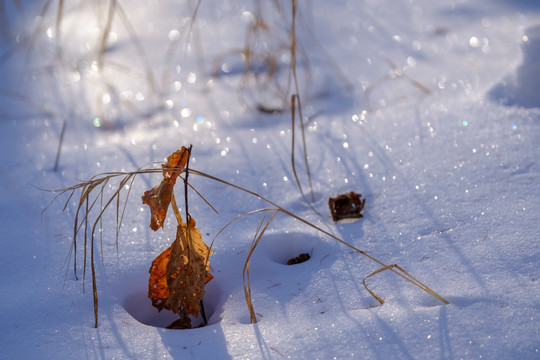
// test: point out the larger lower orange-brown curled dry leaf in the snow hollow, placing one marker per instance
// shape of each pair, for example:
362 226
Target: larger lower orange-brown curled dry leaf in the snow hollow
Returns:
178 275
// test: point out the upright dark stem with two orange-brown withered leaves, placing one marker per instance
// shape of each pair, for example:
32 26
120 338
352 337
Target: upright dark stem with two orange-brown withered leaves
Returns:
179 274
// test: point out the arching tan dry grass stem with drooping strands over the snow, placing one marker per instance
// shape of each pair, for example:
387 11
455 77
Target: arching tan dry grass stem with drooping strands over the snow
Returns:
88 199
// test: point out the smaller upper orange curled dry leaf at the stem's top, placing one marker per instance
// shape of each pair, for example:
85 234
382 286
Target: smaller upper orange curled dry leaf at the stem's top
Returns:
159 197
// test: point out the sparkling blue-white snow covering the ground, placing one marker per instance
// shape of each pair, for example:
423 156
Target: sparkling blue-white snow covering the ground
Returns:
431 110
